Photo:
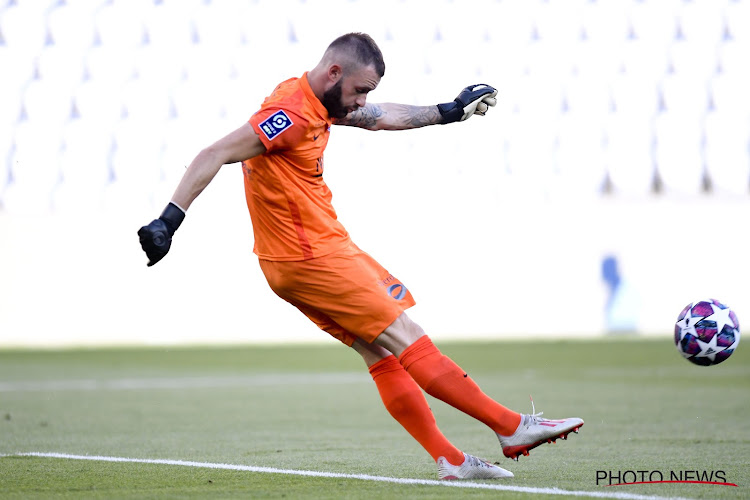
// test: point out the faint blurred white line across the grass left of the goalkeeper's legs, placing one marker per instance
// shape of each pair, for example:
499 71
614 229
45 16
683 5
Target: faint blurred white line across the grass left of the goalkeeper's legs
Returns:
126 384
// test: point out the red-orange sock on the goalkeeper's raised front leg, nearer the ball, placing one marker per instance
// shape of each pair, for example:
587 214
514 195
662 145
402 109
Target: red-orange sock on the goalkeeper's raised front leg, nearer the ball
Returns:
441 378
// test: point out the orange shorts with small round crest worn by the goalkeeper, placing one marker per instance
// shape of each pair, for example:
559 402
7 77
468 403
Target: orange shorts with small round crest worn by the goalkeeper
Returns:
347 293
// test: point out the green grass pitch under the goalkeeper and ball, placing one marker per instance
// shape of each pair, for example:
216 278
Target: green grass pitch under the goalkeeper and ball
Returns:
315 408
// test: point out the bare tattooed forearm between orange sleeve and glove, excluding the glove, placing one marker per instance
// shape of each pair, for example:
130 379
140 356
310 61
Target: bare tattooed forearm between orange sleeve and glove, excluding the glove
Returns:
391 117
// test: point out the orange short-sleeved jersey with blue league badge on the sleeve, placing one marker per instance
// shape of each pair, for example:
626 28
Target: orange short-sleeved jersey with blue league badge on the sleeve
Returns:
289 202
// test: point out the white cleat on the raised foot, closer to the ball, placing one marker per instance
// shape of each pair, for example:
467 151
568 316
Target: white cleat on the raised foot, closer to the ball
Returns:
534 431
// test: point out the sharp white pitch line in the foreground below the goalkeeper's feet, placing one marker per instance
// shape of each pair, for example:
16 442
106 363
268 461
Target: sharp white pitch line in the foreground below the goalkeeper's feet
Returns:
362 477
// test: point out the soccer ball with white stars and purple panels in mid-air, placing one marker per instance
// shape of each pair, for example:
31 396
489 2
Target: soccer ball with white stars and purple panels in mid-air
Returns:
707 332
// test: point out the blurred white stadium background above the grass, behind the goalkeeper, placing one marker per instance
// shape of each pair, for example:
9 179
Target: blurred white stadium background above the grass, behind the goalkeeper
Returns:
608 189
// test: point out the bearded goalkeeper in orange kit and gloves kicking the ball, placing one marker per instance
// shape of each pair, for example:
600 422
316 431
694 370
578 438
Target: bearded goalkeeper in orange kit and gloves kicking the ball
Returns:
310 261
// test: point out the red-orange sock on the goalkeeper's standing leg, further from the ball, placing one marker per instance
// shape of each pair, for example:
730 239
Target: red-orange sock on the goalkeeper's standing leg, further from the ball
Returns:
405 401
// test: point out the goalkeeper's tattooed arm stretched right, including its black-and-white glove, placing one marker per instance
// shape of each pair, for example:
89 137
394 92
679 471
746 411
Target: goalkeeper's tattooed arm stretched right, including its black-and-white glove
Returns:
474 99
